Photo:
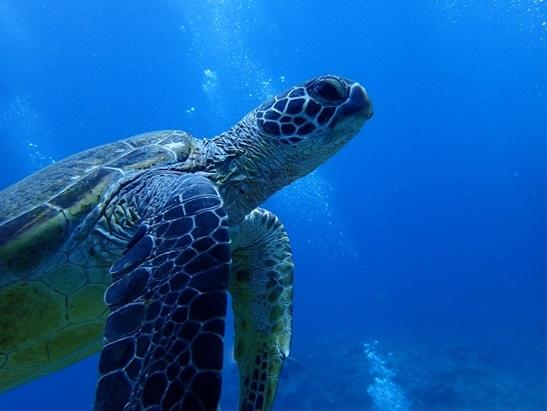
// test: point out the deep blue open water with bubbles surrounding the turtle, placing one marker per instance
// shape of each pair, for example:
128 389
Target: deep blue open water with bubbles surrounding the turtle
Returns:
421 248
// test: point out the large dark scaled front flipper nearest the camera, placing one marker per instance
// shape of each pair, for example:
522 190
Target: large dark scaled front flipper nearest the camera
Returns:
163 343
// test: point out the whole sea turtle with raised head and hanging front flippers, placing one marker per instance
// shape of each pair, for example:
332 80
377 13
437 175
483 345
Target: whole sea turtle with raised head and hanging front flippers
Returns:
132 247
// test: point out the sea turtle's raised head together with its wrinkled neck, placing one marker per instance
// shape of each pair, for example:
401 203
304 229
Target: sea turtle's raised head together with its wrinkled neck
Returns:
286 138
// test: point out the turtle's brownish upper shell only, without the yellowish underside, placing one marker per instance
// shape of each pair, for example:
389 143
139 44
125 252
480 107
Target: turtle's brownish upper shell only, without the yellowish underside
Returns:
38 213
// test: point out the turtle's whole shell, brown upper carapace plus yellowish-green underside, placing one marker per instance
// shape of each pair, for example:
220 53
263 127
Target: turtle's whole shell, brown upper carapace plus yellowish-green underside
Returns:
51 301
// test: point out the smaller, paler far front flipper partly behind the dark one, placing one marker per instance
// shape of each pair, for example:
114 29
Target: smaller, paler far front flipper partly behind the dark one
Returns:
261 289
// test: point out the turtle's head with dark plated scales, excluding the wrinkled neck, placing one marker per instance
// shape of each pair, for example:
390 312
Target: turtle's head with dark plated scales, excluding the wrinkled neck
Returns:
311 122
